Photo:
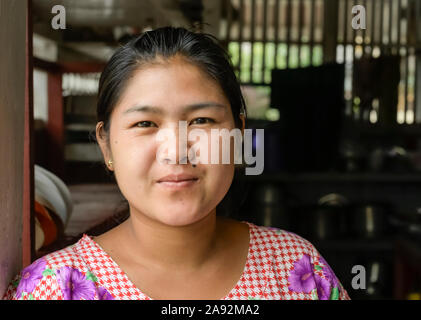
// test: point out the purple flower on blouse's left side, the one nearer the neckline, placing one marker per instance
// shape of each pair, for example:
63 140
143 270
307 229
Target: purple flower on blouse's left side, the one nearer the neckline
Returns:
74 285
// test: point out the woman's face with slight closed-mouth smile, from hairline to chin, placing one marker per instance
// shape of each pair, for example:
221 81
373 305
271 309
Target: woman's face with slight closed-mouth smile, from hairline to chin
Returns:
168 89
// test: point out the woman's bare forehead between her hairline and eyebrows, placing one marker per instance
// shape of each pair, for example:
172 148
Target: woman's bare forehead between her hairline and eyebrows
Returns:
171 85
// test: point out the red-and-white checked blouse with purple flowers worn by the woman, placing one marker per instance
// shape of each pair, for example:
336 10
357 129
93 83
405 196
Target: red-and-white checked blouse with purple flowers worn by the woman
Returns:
280 265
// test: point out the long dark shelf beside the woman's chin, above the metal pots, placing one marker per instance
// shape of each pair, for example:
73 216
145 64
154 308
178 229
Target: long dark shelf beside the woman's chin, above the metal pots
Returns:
336 177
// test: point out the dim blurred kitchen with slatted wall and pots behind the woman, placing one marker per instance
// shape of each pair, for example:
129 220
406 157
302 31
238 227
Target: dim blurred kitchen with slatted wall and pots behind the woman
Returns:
341 109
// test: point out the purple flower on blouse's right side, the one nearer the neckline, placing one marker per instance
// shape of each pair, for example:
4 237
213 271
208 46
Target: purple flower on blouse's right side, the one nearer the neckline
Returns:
301 278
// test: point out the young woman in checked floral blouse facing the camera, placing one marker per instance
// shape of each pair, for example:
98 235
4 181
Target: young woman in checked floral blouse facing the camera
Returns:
175 244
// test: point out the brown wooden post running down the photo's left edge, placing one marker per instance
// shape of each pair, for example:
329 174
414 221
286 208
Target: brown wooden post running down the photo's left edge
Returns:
12 135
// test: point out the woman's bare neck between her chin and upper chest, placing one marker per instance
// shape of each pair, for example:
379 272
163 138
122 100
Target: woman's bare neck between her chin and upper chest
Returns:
176 248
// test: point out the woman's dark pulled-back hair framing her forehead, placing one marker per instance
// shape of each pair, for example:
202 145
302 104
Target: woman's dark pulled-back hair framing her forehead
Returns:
164 43
